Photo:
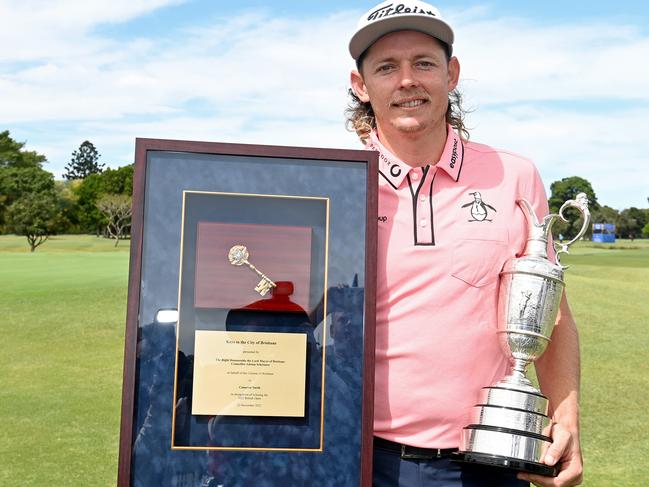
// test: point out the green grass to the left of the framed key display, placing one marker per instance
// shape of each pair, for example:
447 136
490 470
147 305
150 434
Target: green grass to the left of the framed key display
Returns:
62 328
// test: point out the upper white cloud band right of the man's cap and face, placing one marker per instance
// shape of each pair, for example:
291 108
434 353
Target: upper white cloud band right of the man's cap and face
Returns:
511 60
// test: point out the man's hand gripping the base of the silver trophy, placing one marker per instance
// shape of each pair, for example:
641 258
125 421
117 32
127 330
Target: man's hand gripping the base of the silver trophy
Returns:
566 451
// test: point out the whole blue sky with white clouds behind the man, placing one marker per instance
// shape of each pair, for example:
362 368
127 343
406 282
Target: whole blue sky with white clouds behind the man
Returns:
564 83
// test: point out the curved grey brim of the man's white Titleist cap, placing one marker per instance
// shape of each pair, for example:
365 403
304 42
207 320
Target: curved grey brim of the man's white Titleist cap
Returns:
369 34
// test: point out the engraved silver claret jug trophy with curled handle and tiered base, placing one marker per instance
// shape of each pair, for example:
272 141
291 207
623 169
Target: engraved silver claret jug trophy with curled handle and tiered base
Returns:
509 426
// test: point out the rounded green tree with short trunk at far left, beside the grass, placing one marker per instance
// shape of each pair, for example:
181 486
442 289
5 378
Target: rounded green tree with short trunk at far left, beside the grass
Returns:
34 216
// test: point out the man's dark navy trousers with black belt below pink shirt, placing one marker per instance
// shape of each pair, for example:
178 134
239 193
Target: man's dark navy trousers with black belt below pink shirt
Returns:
390 470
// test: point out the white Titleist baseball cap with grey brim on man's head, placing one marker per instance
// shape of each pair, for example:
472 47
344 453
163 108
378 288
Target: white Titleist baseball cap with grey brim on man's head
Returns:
390 16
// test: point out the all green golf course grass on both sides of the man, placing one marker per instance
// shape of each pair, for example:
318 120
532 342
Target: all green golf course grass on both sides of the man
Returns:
62 328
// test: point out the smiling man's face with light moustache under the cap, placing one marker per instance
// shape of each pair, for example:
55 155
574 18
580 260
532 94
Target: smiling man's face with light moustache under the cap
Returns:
406 77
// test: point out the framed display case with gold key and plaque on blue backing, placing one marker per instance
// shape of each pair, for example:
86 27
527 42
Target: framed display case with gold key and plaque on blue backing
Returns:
249 353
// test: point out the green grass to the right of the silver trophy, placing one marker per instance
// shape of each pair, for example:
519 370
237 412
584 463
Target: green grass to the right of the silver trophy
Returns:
608 289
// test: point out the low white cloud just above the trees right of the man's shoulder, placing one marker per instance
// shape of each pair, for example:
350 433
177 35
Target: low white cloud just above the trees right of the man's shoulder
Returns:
608 150
